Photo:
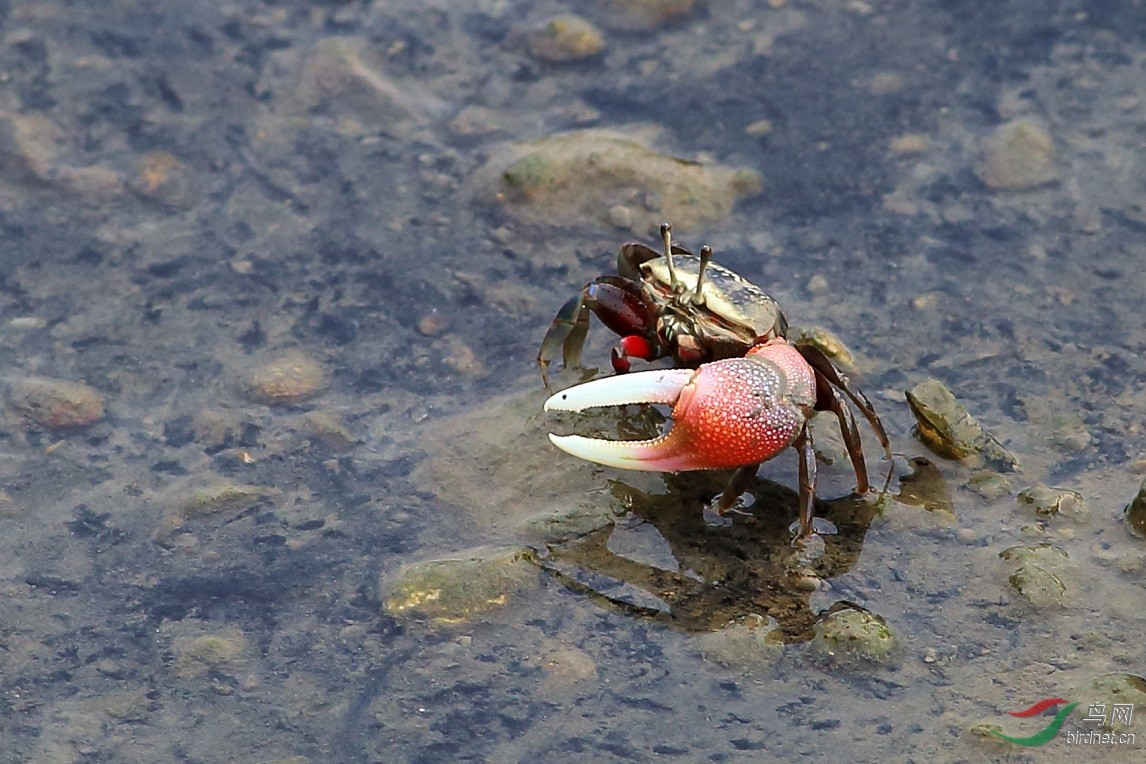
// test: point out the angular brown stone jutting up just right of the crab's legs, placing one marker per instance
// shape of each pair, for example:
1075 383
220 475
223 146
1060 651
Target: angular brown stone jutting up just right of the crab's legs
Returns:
947 428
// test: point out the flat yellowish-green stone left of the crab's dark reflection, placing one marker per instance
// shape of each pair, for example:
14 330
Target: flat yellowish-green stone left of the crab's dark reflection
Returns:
452 590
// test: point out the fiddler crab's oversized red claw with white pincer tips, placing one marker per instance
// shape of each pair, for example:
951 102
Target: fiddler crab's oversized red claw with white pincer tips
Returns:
727 414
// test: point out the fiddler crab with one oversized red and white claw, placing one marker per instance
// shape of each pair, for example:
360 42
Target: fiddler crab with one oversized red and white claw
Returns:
742 392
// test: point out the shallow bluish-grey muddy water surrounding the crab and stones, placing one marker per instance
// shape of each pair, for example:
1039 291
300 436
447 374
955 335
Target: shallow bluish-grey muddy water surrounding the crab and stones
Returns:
269 314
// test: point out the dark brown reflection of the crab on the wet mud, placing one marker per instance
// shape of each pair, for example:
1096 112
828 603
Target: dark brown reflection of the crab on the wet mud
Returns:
723 572
